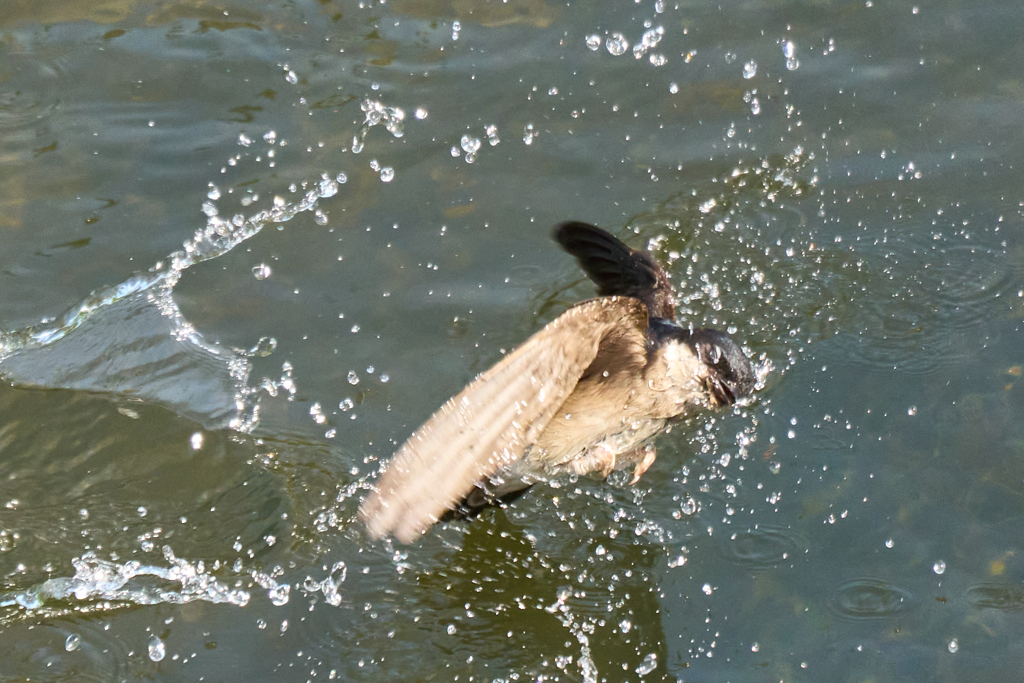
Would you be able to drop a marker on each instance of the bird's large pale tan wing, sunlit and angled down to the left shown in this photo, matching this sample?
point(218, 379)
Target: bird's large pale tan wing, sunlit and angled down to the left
point(490, 424)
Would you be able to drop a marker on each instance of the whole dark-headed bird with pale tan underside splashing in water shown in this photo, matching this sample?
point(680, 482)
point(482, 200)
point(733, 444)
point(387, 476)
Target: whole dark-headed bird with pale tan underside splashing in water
point(584, 396)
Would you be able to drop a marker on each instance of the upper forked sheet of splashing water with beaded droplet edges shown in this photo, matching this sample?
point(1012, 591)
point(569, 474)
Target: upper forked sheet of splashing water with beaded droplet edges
point(132, 338)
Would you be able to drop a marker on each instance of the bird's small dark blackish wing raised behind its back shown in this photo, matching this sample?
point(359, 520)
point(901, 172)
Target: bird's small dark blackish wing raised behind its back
point(617, 270)
